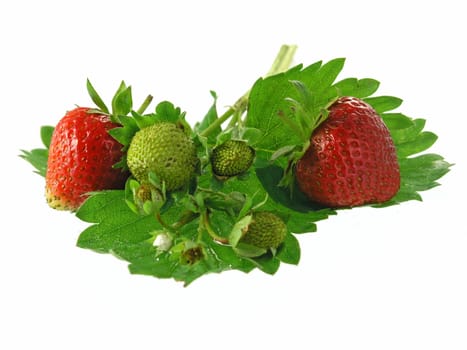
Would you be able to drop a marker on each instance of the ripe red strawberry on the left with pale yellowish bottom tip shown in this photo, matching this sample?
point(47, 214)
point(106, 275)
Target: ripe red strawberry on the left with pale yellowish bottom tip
point(81, 156)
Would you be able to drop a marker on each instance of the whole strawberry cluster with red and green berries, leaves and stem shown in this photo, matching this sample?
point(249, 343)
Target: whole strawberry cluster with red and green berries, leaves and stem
point(235, 190)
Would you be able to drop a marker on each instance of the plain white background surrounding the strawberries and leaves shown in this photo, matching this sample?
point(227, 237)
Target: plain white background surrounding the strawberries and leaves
point(368, 279)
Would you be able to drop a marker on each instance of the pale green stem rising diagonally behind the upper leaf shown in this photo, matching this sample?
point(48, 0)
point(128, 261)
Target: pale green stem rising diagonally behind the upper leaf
point(281, 63)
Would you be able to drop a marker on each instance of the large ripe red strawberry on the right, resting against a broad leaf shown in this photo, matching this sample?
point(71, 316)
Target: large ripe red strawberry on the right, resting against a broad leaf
point(351, 159)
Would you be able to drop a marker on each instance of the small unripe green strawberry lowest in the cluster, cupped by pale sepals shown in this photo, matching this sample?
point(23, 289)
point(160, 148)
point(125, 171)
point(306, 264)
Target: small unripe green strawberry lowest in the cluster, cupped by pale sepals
point(266, 230)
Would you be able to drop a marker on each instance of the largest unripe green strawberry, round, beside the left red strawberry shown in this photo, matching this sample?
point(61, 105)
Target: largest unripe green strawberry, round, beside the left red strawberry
point(166, 150)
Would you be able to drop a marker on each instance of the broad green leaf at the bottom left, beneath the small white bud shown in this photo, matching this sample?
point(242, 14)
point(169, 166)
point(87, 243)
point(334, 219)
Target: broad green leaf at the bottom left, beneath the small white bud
point(119, 231)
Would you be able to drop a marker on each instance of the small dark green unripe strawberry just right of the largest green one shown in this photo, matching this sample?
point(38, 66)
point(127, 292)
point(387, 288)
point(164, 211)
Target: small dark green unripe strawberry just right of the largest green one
point(232, 158)
